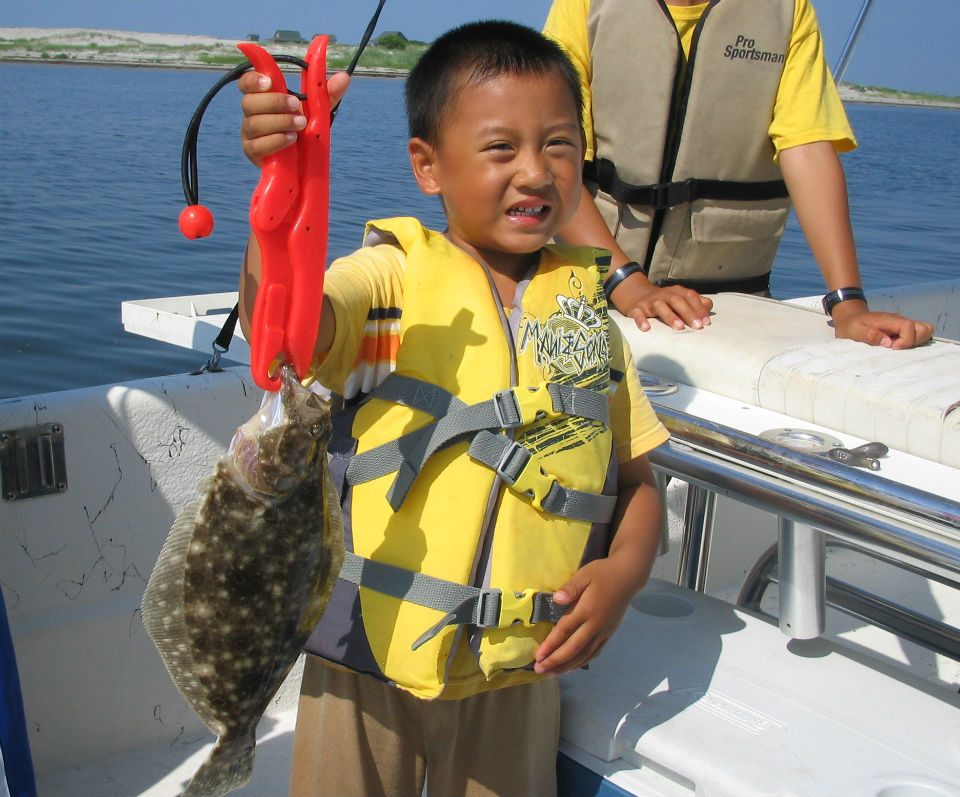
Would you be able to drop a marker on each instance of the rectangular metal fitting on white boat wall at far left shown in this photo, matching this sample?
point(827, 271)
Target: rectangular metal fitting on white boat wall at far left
point(33, 462)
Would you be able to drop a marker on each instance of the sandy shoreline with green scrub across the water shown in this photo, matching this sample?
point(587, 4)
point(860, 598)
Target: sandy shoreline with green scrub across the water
point(94, 47)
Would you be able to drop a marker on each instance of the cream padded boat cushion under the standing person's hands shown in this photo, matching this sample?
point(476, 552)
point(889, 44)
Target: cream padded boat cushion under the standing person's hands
point(785, 358)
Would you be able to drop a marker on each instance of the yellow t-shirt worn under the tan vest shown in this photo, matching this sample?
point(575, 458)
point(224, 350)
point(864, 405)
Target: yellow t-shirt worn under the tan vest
point(807, 108)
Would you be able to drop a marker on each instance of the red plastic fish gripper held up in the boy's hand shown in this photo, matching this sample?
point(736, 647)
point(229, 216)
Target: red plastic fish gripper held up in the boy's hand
point(289, 217)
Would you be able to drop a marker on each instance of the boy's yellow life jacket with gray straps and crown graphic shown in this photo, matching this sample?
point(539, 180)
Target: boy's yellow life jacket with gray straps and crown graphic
point(480, 475)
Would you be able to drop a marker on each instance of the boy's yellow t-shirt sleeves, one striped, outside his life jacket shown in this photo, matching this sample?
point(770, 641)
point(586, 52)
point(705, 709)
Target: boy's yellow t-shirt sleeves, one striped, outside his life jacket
point(365, 290)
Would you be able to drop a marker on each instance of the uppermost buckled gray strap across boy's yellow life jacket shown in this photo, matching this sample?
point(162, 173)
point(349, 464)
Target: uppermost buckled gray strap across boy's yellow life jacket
point(507, 409)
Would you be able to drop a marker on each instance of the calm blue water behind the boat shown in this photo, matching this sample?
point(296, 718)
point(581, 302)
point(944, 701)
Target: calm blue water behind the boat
point(90, 194)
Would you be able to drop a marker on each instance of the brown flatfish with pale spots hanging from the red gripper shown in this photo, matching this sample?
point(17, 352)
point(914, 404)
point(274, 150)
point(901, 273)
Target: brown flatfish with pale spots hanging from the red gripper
point(245, 574)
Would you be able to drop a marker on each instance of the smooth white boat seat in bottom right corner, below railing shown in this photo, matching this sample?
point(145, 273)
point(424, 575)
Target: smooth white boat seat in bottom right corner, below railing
point(693, 696)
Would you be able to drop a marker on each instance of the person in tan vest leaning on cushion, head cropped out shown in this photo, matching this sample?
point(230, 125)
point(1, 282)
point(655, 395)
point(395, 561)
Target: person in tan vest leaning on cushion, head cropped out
point(704, 121)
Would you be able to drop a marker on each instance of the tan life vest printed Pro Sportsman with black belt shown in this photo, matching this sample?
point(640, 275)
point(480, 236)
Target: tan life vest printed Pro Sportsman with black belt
point(684, 165)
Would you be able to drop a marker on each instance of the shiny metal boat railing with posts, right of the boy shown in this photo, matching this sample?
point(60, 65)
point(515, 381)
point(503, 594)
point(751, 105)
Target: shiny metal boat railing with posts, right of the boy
point(819, 504)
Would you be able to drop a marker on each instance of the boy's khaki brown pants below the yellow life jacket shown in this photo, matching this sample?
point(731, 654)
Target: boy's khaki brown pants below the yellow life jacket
point(359, 736)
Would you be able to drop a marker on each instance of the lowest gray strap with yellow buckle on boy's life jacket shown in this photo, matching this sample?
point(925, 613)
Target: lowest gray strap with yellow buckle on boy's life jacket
point(462, 604)
